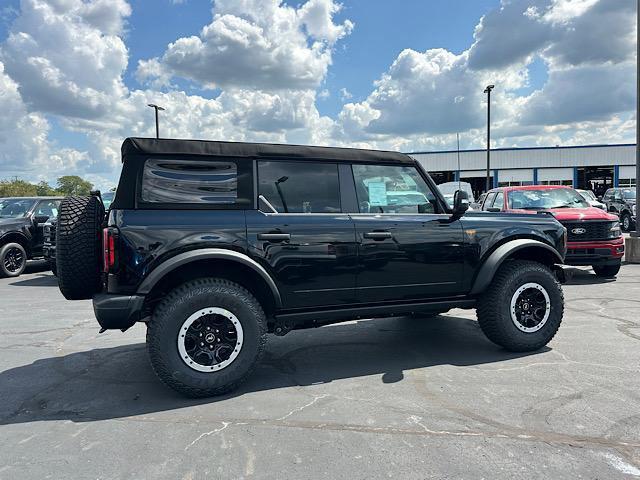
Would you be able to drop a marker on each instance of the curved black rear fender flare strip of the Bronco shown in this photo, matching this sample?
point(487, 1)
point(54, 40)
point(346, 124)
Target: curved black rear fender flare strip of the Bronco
point(207, 254)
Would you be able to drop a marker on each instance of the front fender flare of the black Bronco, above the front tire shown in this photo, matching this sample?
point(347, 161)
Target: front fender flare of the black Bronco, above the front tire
point(517, 249)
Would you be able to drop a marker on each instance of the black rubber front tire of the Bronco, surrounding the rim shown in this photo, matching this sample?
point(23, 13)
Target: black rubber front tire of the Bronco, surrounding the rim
point(494, 306)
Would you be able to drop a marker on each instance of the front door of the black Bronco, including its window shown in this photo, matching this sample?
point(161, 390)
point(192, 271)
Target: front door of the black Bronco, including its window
point(408, 250)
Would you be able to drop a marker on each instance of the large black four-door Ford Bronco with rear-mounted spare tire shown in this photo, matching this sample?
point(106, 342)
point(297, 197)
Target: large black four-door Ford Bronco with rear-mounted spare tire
point(216, 244)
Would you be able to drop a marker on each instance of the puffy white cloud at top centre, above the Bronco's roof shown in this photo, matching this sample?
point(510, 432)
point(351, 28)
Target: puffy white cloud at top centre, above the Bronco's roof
point(260, 44)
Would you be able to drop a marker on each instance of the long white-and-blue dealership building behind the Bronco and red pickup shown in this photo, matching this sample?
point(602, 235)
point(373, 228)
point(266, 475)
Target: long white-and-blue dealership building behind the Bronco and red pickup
point(593, 167)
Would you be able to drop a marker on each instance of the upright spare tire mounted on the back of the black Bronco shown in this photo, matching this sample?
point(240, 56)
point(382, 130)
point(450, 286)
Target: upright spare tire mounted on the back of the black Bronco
point(78, 247)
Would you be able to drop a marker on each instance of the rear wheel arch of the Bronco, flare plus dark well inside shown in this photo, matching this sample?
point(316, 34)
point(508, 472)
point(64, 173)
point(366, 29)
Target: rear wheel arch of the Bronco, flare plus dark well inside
point(213, 262)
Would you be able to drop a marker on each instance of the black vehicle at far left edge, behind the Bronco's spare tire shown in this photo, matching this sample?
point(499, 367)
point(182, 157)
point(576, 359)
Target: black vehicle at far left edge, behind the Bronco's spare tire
point(21, 230)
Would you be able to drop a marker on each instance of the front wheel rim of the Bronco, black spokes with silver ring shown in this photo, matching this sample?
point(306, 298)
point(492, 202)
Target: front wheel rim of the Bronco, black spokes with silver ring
point(530, 307)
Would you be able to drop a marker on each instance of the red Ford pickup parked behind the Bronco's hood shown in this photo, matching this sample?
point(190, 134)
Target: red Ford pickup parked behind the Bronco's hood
point(594, 236)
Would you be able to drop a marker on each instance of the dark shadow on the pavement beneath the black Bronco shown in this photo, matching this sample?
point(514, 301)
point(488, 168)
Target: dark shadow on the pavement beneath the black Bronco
point(118, 382)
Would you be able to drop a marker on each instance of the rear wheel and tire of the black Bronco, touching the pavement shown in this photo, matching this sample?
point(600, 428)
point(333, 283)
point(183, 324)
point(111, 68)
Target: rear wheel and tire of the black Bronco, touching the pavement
point(206, 337)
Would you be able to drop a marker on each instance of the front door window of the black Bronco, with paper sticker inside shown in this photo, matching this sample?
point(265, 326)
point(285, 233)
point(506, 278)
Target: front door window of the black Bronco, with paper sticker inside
point(392, 189)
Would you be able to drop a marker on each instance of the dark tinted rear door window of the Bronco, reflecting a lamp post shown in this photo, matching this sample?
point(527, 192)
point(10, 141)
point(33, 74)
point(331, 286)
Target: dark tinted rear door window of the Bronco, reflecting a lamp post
point(300, 187)
